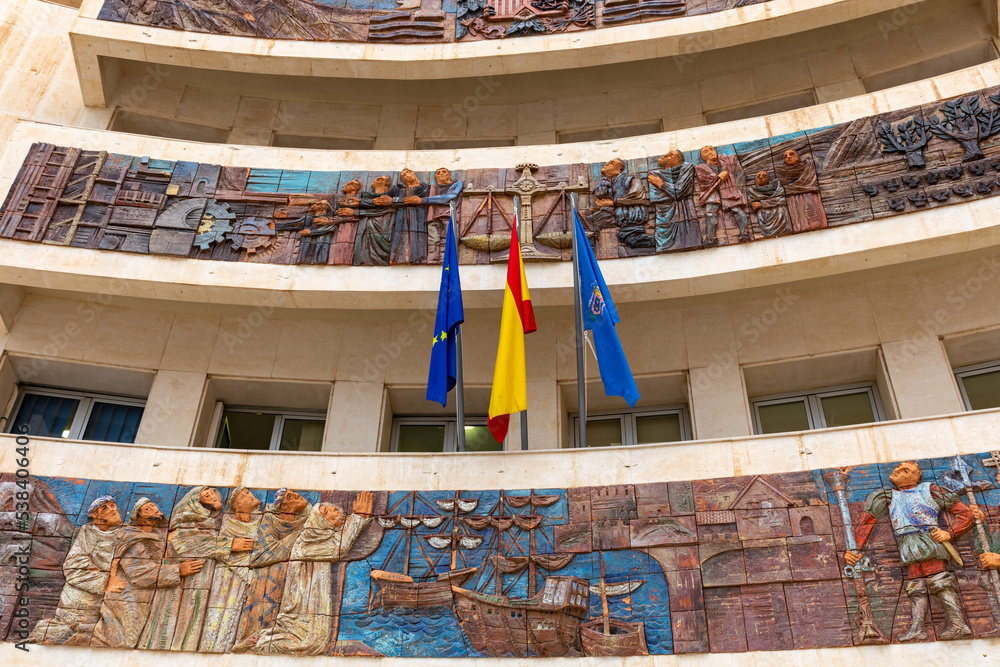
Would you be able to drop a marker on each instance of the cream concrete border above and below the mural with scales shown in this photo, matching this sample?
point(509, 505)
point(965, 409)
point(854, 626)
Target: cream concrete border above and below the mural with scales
point(924, 234)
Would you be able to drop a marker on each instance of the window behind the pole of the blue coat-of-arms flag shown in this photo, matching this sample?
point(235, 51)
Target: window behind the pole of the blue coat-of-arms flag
point(634, 428)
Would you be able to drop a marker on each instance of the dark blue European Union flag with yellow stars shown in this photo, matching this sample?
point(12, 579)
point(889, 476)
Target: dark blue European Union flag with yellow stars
point(444, 357)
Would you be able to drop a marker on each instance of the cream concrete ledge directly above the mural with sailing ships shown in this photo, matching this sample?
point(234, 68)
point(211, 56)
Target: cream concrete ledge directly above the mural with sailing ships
point(883, 442)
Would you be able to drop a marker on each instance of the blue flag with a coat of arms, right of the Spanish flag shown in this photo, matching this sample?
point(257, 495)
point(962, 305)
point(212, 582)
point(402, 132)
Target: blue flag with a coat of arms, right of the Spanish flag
point(600, 316)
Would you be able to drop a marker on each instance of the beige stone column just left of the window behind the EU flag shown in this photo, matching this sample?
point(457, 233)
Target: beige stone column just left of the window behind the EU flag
point(354, 420)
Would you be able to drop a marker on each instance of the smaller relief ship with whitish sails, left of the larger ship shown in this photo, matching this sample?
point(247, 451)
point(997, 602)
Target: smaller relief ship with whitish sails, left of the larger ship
point(419, 585)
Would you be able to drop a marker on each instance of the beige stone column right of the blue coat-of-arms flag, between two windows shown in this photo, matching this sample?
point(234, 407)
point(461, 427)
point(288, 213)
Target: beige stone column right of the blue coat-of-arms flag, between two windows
point(718, 403)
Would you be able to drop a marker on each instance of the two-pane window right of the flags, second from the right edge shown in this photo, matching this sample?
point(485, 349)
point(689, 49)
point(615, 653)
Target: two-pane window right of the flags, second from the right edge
point(839, 406)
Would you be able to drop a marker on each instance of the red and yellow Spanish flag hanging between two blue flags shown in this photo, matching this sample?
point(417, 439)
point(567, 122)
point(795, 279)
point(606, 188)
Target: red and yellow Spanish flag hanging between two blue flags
point(510, 384)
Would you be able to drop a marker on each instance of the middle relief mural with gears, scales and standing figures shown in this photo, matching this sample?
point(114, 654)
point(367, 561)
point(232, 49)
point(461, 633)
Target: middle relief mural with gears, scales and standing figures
point(872, 168)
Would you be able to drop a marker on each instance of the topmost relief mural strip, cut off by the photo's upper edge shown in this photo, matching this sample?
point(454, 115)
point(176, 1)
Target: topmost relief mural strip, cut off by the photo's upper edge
point(403, 21)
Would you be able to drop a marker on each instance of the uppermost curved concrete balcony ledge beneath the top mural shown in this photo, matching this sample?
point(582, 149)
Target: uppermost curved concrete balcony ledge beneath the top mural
point(94, 40)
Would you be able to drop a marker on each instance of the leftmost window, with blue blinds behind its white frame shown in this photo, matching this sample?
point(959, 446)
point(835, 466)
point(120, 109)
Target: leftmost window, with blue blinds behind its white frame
point(77, 416)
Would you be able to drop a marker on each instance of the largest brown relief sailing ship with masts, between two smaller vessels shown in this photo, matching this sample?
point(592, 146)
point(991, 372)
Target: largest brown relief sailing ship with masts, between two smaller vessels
point(545, 623)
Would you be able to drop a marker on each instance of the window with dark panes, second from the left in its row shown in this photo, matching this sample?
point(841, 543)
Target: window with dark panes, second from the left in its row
point(249, 428)
